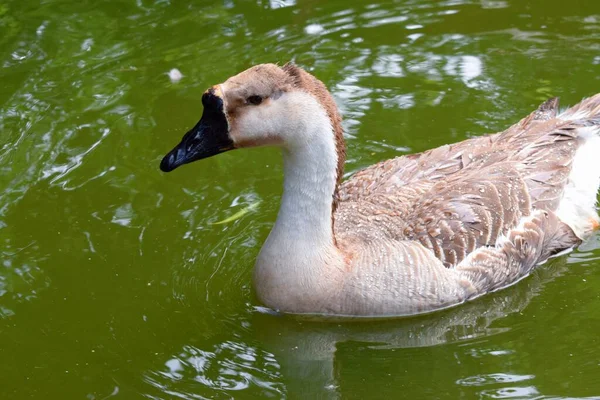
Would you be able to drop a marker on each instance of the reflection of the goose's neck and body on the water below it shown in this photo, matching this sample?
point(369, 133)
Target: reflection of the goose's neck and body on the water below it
point(308, 351)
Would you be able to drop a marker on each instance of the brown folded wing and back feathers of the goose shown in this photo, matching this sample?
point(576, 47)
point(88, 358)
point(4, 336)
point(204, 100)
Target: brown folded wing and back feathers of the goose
point(459, 198)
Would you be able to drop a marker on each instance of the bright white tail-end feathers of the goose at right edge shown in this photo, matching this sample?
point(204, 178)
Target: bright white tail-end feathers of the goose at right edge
point(577, 208)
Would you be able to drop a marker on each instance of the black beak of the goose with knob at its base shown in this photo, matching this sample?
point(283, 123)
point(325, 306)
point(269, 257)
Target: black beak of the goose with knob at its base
point(209, 137)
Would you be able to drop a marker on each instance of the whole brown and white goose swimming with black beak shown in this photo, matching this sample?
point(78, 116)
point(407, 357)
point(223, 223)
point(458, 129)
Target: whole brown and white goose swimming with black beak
point(408, 235)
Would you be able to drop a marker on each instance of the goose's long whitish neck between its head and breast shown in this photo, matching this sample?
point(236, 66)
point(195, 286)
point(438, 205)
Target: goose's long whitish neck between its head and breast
point(310, 157)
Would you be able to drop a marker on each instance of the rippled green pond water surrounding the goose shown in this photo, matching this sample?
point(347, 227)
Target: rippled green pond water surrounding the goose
point(116, 282)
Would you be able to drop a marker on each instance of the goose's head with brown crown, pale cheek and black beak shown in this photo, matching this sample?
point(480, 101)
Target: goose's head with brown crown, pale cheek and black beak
point(264, 105)
